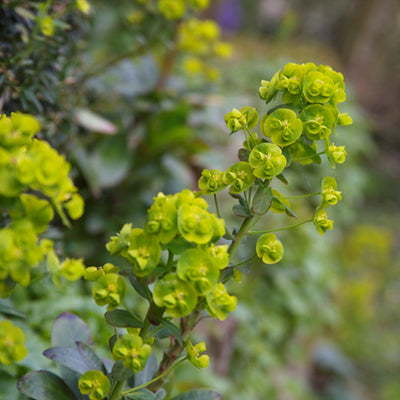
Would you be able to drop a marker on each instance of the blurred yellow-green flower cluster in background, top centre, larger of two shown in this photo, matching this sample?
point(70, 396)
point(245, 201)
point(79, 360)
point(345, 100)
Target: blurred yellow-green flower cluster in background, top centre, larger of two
point(200, 42)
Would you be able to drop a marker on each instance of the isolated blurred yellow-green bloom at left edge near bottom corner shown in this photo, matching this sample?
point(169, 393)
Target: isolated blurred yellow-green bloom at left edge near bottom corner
point(12, 343)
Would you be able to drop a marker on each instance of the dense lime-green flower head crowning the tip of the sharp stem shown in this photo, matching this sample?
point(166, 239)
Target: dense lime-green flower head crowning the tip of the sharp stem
point(311, 93)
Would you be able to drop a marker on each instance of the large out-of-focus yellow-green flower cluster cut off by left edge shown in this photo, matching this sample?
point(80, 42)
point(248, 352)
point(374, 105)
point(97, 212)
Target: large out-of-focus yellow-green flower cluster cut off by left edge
point(30, 166)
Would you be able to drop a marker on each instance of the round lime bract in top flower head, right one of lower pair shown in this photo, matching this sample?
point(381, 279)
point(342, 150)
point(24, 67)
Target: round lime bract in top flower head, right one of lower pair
point(317, 120)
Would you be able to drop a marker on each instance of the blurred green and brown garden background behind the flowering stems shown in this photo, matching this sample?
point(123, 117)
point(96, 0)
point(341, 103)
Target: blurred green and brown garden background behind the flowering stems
point(136, 115)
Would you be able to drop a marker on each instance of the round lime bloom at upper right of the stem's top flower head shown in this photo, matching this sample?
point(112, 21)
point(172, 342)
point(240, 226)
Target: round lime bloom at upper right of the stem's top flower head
point(318, 87)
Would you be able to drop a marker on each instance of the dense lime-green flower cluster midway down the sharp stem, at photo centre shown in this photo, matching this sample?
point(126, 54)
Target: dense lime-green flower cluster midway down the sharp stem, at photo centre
point(181, 225)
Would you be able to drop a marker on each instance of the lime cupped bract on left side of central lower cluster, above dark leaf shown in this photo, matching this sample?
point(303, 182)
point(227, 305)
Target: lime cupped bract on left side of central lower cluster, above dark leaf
point(144, 252)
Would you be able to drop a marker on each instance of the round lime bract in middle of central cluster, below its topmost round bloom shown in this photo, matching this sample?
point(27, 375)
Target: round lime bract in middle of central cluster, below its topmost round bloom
point(196, 267)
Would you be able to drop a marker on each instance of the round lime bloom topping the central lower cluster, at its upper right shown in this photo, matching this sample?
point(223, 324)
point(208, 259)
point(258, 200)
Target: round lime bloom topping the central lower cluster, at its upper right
point(195, 224)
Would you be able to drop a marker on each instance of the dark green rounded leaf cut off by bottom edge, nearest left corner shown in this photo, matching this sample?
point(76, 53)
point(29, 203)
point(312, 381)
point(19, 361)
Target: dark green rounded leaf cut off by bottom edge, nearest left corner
point(43, 385)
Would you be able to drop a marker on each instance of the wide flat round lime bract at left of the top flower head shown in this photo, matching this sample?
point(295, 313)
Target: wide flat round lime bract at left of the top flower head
point(282, 126)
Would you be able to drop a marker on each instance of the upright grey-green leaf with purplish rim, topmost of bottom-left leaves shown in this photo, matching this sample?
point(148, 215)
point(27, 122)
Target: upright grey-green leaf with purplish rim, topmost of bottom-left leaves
point(69, 329)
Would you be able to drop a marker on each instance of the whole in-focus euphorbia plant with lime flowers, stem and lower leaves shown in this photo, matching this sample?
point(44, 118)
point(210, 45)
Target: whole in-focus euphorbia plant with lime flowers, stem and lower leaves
point(183, 258)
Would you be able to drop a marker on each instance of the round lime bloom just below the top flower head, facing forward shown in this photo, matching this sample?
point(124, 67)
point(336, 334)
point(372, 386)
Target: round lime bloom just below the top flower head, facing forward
point(267, 160)
